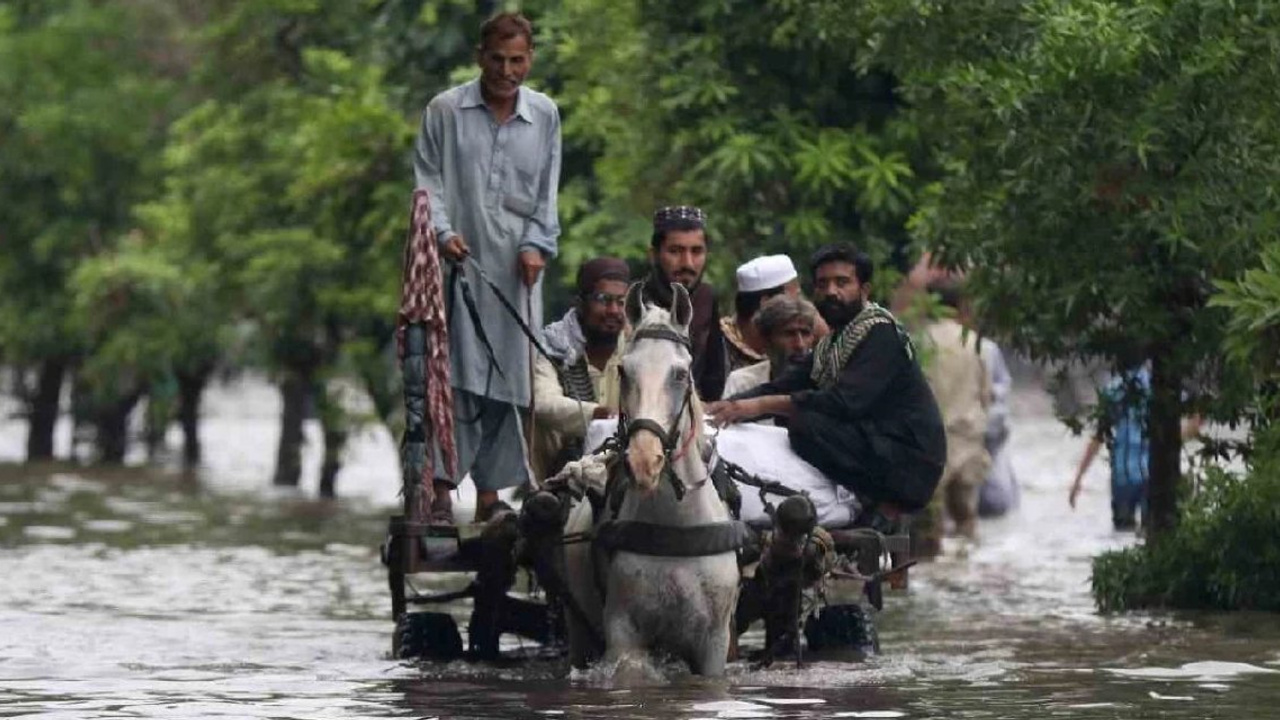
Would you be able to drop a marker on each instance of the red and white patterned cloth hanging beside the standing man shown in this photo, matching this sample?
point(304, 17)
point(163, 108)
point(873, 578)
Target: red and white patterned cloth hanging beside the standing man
point(423, 302)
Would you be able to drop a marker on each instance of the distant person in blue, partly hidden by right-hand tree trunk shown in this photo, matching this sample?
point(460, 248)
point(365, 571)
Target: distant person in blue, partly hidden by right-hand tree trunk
point(1124, 431)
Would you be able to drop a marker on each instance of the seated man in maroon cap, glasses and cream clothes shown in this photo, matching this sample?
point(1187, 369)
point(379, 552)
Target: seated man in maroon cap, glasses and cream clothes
point(583, 384)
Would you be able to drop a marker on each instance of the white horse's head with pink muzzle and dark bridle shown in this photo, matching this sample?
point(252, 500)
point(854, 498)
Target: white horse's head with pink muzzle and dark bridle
point(657, 385)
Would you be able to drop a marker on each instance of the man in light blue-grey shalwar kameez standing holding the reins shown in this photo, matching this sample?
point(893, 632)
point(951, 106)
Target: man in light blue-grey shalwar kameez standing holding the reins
point(490, 156)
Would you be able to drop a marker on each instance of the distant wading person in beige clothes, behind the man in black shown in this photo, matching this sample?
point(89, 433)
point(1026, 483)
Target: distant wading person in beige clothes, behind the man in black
point(959, 381)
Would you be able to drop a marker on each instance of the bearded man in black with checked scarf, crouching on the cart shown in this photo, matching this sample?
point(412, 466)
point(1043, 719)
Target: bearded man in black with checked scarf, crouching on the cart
point(861, 409)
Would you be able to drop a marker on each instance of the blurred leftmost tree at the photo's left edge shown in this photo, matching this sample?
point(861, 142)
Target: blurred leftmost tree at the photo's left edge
point(85, 108)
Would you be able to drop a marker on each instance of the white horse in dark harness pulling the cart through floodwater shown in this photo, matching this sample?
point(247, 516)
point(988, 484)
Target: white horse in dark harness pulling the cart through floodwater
point(670, 576)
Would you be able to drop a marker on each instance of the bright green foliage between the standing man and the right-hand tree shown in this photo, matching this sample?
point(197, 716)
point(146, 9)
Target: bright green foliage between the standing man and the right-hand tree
point(734, 107)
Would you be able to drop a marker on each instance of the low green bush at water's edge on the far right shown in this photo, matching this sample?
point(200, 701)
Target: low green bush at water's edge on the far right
point(1223, 555)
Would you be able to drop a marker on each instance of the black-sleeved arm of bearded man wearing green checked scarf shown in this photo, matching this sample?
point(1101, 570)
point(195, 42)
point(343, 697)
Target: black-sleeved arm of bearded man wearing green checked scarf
point(863, 380)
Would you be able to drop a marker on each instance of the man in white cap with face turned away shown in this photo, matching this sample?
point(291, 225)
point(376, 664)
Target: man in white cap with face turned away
point(758, 280)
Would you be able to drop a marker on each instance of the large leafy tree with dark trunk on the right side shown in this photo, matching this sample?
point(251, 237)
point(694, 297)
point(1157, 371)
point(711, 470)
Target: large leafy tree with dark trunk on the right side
point(1103, 163)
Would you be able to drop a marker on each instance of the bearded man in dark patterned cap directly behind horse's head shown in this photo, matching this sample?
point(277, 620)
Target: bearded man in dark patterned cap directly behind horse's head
point(678, 254)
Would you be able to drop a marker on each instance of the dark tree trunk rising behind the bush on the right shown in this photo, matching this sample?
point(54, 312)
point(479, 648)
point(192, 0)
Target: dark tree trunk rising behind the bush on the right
point(1167, 446)
